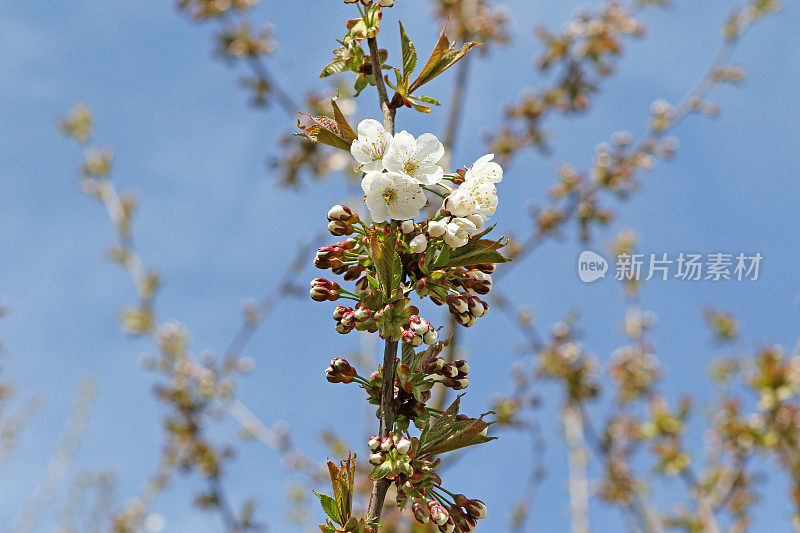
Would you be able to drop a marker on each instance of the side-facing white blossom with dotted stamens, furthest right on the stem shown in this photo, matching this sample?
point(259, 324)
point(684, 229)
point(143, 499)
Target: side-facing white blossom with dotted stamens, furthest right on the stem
point(478, 194)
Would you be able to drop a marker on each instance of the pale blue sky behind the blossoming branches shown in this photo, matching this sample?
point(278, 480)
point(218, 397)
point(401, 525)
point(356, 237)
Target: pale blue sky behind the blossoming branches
point(218, 227)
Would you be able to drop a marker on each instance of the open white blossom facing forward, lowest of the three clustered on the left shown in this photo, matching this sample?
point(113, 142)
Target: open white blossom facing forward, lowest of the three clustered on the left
point(393, 195)
